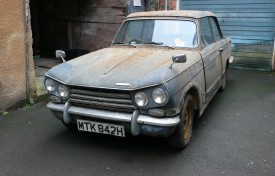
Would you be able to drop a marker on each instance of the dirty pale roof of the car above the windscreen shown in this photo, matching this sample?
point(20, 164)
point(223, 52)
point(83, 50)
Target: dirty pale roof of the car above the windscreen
point(172, 13)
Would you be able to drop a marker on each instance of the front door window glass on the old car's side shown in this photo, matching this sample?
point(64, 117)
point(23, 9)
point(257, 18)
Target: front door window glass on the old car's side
point(207, 34)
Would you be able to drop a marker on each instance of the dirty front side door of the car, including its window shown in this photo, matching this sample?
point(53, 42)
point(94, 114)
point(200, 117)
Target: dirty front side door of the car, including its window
point(211, 56)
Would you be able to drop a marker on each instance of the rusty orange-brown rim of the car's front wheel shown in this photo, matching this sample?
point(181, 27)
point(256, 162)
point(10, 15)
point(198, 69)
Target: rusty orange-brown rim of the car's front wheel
point(187, 123)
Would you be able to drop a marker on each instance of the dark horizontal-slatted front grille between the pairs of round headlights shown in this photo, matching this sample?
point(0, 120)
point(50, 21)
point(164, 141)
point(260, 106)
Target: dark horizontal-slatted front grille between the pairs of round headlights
point(102, 99)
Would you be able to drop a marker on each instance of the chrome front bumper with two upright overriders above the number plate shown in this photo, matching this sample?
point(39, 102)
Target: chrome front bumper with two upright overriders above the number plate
point(135, 119)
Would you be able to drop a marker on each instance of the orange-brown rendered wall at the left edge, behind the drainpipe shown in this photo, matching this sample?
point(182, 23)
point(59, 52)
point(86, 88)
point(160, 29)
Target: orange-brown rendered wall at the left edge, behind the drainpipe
point(13, 54)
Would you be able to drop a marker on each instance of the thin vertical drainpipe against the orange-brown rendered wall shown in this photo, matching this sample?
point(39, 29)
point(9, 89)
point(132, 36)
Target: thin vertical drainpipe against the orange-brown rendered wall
point(27, 45)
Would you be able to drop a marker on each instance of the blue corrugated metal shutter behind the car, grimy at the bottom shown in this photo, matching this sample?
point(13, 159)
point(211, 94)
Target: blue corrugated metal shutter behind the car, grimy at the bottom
point(249, 23)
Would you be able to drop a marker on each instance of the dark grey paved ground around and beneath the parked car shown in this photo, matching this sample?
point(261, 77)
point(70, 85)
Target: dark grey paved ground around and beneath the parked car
point(235, 137)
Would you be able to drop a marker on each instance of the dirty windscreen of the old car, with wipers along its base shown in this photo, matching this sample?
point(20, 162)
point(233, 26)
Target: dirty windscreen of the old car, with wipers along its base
point(175, 33)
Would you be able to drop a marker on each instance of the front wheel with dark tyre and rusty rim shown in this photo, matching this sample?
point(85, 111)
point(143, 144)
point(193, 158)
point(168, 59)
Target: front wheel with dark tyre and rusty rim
point(182, 135)
